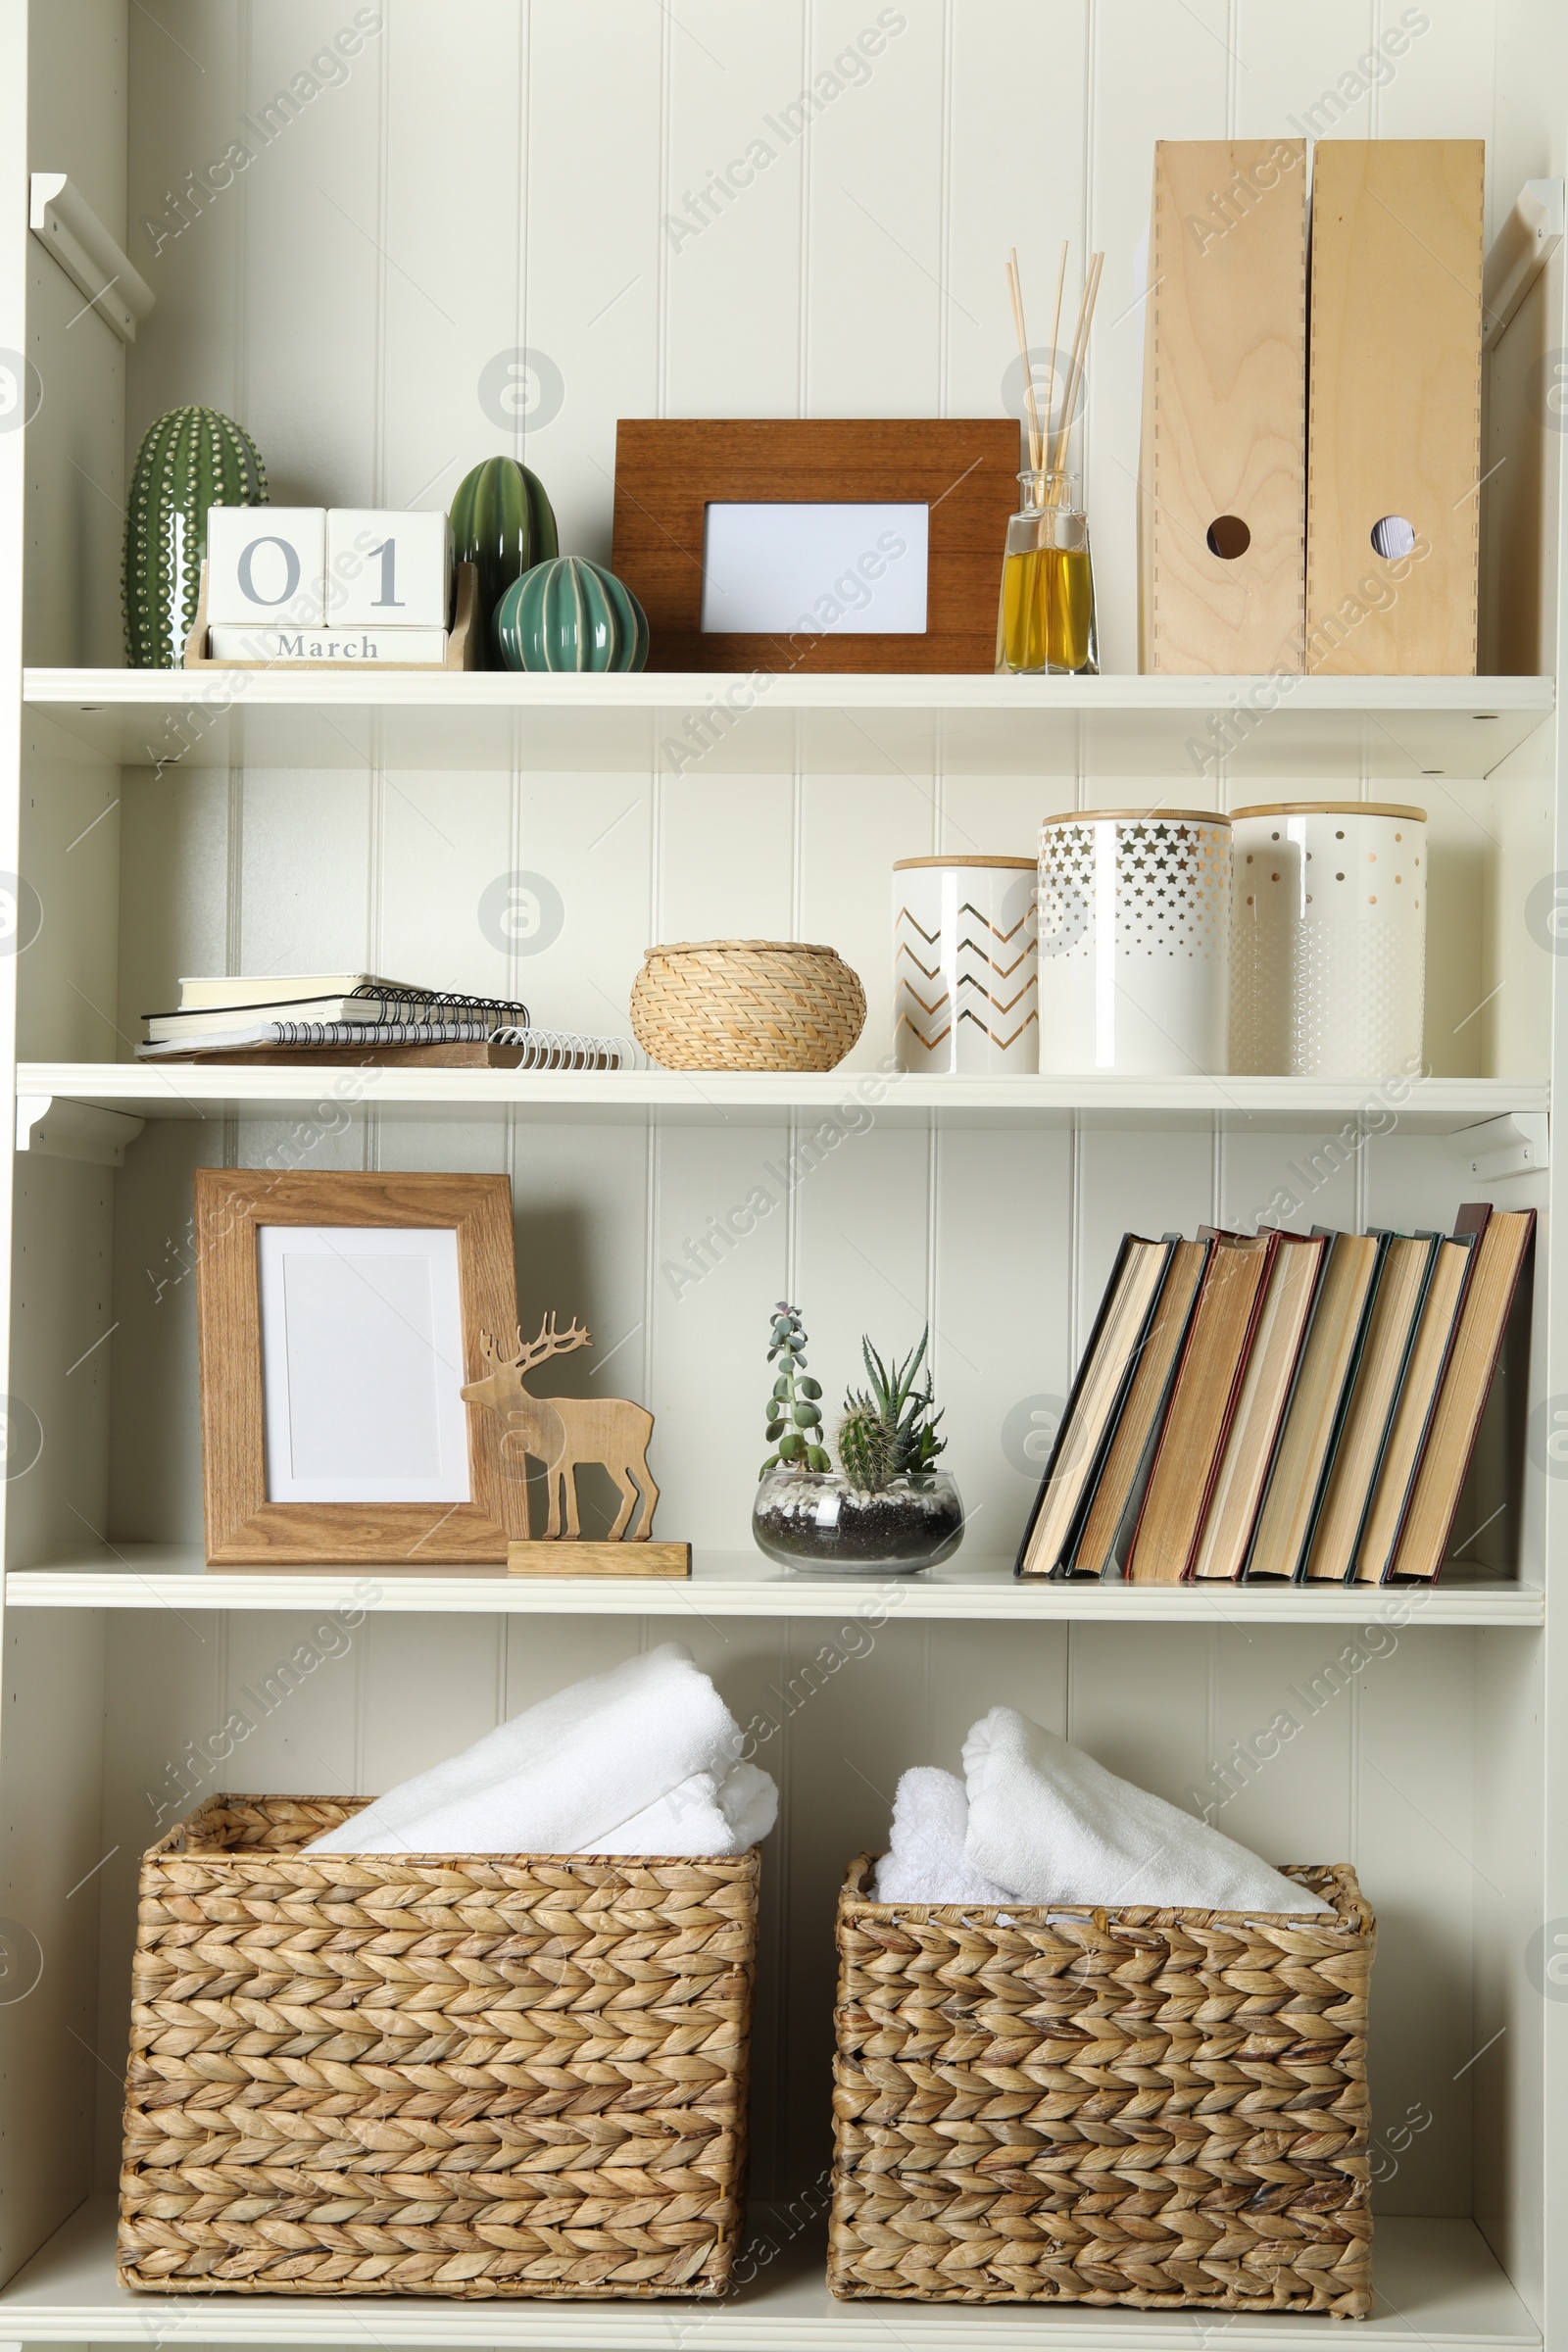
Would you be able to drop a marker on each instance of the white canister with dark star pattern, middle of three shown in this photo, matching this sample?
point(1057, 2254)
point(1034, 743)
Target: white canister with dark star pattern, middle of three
point(1134, 942)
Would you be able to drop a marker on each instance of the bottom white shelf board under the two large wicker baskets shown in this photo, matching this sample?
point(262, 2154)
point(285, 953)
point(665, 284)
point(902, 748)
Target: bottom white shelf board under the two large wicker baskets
point(1438, 2287)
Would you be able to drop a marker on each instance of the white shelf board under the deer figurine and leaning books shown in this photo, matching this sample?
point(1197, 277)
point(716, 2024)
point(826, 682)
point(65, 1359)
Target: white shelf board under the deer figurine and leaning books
point(746, 1584)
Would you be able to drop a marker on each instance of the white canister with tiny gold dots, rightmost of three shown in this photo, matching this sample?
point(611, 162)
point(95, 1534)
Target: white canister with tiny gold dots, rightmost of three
point(1329, 949)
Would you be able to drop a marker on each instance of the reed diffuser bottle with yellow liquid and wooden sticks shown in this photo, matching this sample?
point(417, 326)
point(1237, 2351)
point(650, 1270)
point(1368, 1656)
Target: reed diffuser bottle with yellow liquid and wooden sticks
point(1047, 615)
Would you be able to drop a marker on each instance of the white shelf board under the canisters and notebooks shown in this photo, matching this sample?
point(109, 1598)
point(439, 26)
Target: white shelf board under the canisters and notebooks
point(1435, 1107)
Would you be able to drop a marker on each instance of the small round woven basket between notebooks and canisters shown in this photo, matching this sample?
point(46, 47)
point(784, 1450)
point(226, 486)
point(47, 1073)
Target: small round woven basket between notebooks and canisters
point(746, 1005)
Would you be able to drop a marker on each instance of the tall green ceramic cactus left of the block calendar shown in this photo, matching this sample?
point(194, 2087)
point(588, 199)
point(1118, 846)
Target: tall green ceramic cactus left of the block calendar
point(189, 460)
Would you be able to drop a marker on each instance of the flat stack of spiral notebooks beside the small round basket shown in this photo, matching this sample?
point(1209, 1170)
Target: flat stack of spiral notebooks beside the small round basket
point(361, 1017)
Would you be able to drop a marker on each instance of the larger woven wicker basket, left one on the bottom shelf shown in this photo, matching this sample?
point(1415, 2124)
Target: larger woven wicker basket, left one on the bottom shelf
point(431, 2076)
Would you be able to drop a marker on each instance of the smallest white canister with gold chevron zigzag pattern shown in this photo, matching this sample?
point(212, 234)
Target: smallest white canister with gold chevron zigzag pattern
point(965, 965)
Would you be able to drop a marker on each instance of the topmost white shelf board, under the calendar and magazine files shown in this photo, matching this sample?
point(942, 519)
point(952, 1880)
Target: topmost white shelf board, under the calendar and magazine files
point(1395, 730)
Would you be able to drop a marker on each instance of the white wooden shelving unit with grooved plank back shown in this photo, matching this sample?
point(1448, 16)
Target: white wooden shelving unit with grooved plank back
point(344, 300)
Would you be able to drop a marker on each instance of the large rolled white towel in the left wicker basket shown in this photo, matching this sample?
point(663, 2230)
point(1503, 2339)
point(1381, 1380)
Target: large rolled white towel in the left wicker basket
point(565, 1775)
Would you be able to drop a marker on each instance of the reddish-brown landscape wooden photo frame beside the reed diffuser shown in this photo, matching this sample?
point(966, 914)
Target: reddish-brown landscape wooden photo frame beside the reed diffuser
point(960, 472)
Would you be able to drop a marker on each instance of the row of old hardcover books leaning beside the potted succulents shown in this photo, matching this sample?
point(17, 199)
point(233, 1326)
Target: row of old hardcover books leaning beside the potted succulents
point(1280, 1405)
